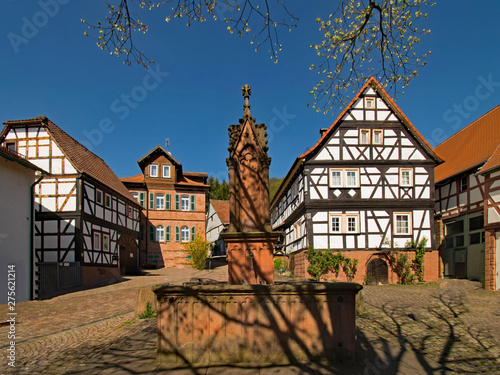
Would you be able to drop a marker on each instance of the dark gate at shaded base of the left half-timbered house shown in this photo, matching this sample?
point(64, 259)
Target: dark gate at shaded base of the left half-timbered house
point(55, 276)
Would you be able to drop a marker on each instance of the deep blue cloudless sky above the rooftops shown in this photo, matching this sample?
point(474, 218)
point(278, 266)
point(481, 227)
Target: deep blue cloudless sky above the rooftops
point(193, 92)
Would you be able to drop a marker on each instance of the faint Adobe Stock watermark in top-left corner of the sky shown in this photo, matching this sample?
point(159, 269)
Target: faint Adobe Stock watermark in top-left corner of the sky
point(32, 25)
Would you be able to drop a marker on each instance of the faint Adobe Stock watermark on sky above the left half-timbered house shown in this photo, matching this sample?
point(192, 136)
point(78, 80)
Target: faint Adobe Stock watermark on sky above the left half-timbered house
point(123, 106)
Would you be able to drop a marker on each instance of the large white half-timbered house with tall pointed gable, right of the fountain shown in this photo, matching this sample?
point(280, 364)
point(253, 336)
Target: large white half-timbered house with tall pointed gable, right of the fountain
point(365, 188)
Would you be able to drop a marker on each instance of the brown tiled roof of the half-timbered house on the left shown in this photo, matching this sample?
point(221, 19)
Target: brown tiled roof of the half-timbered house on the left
point(82, 159)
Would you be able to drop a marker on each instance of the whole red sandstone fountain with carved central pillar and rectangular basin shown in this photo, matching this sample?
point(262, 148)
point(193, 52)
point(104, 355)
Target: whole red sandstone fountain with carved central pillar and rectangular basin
point(250, 319)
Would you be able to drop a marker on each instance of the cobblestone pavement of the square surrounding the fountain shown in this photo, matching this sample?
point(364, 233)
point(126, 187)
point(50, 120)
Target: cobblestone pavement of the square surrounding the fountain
point(450, 327)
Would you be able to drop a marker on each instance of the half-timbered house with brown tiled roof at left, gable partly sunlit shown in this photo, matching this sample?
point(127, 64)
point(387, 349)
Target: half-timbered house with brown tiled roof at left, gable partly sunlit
point(86, 221)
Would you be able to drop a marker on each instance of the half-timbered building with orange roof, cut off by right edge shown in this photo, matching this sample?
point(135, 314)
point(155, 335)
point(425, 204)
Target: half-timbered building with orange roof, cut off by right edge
point(467, 198)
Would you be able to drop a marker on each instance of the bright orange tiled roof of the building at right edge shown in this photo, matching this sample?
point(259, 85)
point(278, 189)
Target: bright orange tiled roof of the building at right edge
point(471, 147)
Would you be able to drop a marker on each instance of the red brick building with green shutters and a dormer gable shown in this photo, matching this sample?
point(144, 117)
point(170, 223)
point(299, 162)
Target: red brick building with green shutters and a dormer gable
point(173, 208)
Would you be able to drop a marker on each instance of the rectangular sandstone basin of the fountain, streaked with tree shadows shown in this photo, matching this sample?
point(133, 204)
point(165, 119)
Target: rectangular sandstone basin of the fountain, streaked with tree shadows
point(221, 324)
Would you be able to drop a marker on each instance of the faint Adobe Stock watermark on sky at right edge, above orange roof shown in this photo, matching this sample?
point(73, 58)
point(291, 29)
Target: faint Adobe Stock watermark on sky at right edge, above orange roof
point(459, 112)
